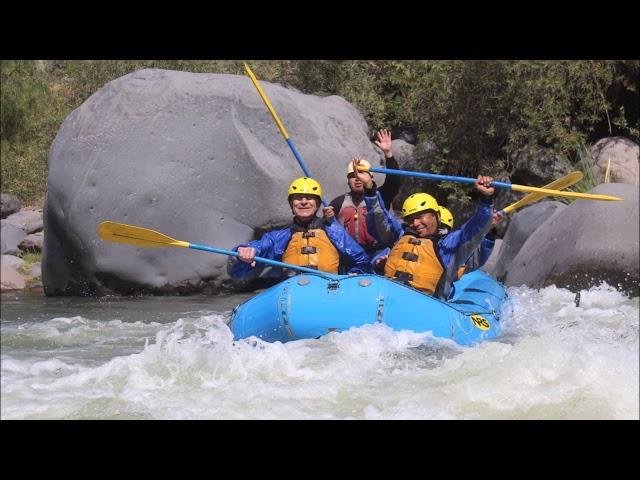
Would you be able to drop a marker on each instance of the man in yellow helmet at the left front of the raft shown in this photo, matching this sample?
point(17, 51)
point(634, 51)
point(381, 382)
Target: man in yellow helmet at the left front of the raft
point(310, 241)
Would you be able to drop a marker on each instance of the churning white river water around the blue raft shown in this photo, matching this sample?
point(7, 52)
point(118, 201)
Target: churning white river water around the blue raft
point(174, 358)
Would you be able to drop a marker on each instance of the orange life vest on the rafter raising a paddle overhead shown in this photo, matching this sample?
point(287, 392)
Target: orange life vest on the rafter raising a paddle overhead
point(414, 261)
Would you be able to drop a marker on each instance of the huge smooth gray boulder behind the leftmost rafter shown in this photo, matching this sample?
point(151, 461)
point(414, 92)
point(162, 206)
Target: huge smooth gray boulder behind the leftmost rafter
point(195, 156)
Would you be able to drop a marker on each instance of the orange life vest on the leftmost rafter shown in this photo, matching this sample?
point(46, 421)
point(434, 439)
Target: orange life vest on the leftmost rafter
point(313, 249)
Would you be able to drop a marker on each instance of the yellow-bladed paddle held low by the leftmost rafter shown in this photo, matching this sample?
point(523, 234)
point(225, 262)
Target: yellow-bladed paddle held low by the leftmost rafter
point(144, 237)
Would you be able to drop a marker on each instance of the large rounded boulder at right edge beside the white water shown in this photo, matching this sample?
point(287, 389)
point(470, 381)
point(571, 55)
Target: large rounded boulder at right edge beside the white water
point(585, 244)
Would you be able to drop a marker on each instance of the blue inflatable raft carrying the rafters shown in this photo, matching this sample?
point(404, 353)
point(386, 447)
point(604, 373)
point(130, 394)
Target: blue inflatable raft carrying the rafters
point(309, 306)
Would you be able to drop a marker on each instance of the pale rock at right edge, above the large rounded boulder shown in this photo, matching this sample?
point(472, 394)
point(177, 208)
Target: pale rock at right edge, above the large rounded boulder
point(623, 153)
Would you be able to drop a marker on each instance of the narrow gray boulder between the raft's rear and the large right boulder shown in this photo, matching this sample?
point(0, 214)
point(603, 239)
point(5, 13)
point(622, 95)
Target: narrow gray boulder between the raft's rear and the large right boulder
point(522, 226)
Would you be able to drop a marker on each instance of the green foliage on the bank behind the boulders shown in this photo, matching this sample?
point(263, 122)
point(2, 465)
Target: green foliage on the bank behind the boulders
point(477, 112)
